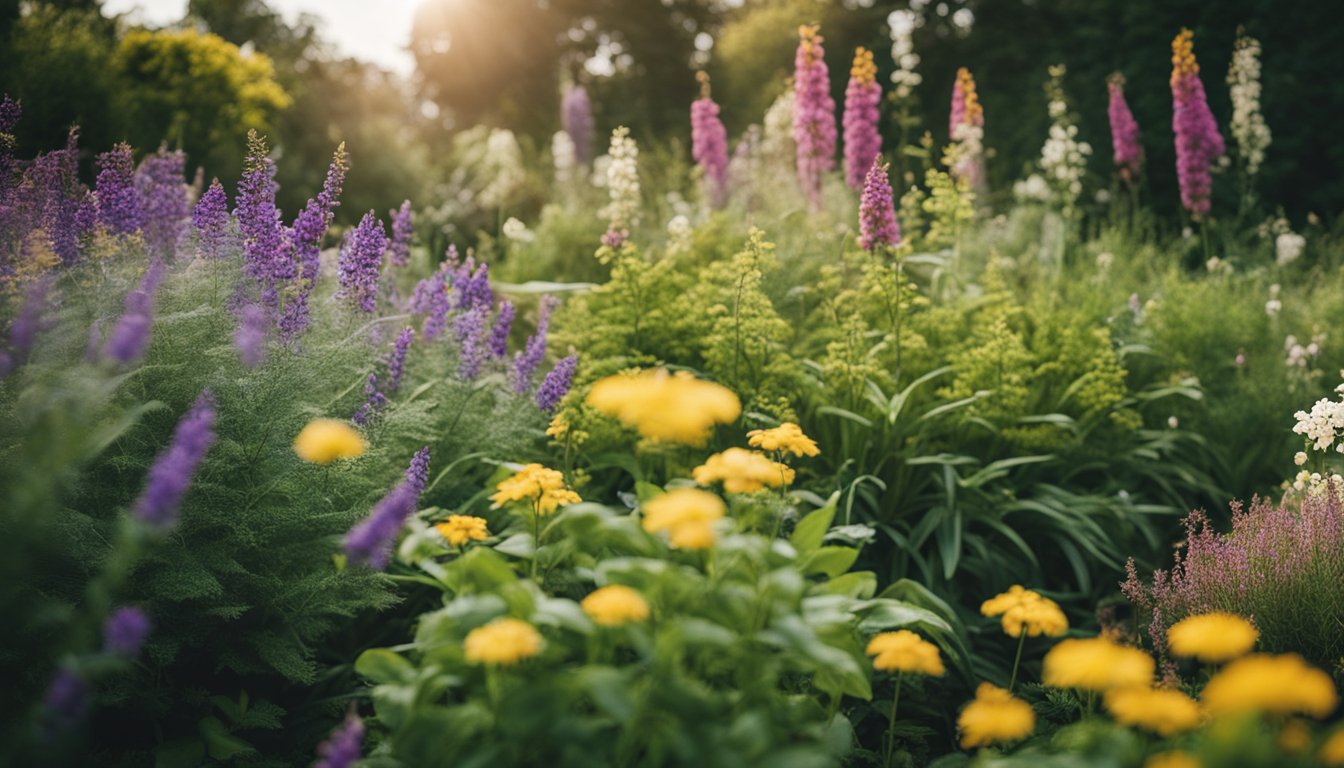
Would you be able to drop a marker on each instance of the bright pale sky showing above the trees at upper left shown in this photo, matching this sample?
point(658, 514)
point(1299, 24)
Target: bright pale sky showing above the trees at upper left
point(374, 32)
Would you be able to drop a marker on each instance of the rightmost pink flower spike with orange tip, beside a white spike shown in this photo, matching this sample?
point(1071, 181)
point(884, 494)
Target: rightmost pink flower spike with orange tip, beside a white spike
point(1198, 139)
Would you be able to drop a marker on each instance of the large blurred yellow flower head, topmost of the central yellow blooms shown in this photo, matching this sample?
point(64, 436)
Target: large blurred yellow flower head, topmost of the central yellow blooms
point(673, 408)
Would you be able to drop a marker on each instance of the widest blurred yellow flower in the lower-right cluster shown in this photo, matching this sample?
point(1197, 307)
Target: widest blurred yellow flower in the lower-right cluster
point(1279, 685)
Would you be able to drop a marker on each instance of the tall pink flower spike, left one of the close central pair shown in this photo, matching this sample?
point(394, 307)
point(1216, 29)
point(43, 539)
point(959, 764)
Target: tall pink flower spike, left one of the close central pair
point(814, 114)
